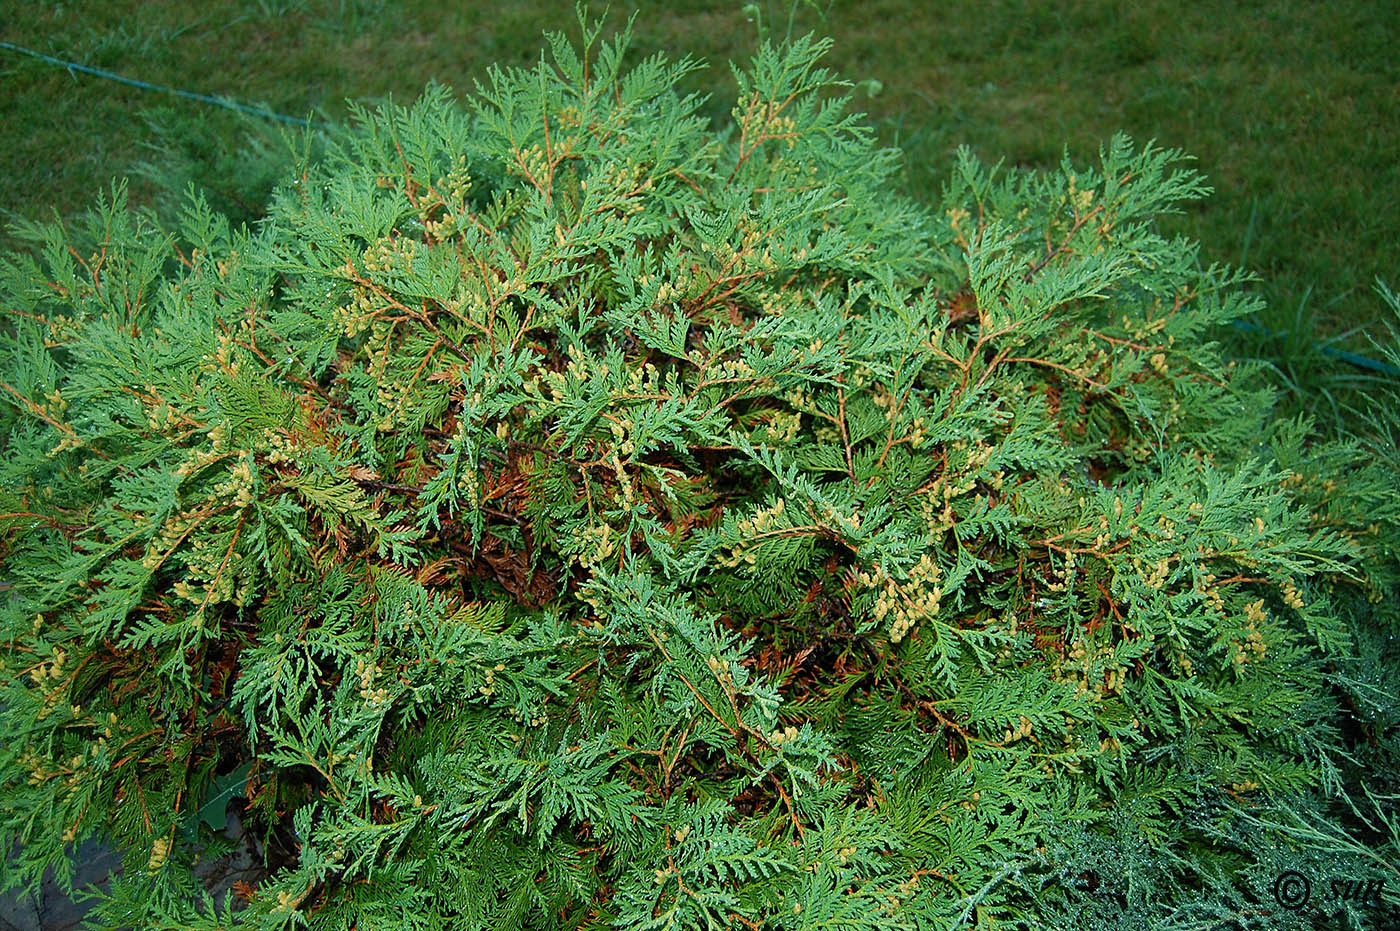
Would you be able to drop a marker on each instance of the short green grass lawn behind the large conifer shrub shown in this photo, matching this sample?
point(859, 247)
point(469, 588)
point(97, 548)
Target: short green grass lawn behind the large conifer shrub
point(1293, 110)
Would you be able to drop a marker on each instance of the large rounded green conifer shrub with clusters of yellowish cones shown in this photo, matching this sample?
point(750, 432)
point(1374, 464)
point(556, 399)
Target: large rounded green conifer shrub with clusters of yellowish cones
point(559, 513)
